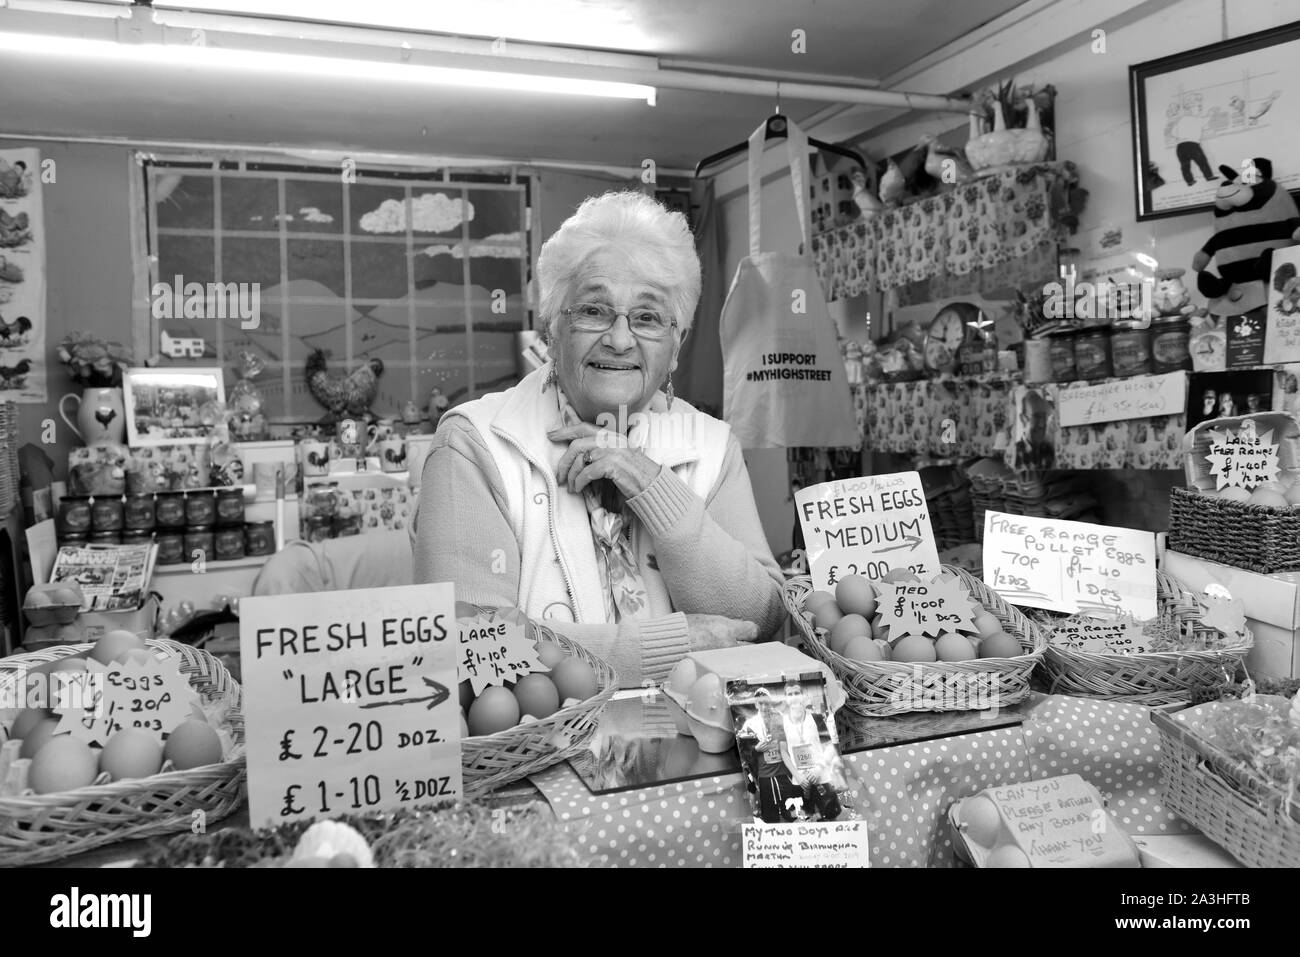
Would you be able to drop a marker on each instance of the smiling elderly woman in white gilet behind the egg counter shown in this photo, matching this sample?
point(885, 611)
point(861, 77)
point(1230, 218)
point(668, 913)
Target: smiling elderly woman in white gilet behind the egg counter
point(586, 495)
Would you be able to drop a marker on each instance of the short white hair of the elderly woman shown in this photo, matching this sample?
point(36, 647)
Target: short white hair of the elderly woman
point(635, 226)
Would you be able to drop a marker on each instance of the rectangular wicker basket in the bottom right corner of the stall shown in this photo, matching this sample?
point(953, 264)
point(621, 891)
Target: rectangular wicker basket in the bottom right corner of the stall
point(1225, 799)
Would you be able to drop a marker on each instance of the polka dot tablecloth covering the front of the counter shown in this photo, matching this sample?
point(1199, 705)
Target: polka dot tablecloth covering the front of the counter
point(904, 793)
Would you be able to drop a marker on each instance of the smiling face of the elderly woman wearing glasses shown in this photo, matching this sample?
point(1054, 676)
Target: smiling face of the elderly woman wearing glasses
point(600, 373)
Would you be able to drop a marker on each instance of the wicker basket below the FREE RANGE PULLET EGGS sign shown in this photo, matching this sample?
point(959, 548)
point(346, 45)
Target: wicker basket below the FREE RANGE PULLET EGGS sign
point(1155, 678)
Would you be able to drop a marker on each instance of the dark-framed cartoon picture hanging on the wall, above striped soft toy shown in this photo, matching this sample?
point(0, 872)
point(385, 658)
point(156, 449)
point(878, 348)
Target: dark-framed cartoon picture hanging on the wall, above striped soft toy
point(1212, 107)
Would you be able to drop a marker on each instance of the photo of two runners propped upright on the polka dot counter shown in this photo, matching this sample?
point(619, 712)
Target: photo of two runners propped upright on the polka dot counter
point(790, 750)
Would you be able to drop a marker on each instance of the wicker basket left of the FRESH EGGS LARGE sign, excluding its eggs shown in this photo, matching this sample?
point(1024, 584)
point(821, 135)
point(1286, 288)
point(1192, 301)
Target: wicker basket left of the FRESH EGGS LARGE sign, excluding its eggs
point(49, 828)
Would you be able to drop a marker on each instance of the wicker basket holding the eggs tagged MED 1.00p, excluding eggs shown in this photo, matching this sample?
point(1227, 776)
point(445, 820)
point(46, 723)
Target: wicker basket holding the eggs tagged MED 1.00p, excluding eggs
point(885, 688)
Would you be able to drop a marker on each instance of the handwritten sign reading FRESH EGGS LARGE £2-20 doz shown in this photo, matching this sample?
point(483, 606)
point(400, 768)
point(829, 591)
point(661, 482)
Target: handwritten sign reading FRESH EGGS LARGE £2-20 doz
point(349, 701)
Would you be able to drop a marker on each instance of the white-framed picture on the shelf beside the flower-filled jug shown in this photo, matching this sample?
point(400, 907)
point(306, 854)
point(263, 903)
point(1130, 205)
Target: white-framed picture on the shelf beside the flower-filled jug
point(172, 406)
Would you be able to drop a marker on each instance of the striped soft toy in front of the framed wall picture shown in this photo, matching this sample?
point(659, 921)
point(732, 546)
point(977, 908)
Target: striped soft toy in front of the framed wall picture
point(1253, 218)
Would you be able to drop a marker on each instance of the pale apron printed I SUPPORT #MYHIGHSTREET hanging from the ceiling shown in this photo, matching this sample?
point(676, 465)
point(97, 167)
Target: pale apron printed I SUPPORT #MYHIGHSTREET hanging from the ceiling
point(785, 379)
